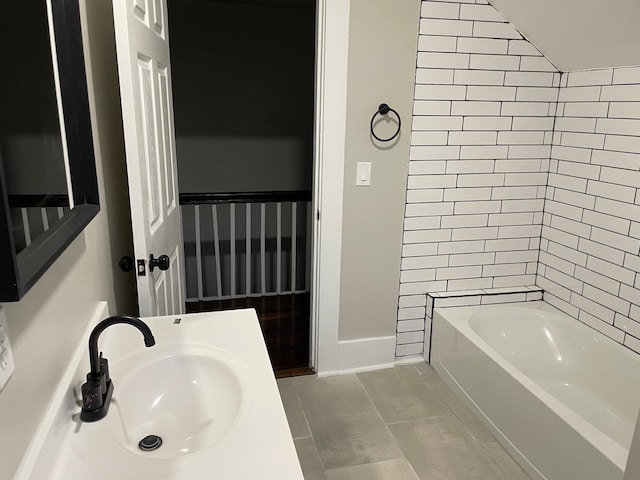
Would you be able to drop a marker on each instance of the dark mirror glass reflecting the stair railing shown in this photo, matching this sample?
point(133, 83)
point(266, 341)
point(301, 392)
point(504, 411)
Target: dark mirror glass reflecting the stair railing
point(32, 148)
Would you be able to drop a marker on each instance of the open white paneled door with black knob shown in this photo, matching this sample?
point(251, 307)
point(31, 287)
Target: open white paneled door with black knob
point(142, 46)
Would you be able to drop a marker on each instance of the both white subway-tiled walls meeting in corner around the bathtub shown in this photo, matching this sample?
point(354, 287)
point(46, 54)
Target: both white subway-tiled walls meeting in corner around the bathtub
point(487, 108)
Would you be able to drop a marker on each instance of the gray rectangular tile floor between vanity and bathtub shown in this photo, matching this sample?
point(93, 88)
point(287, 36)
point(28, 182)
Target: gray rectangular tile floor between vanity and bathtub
point(402, 423)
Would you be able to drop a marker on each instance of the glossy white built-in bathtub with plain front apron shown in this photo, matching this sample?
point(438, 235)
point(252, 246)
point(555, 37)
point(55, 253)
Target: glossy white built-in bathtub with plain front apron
point(561, 397)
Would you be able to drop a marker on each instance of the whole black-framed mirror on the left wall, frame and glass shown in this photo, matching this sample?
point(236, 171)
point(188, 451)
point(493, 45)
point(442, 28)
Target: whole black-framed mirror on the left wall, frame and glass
point(48, 183)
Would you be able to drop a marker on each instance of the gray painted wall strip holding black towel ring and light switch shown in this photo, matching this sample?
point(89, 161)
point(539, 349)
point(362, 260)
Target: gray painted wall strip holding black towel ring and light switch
point(382, 59)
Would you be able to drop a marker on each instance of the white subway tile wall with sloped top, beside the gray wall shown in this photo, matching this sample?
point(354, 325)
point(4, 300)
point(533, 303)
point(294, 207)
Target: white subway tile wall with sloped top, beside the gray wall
point(483, 118)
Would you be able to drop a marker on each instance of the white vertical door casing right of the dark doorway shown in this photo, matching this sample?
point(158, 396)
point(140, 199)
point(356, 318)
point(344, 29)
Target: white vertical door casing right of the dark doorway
point(332, 51)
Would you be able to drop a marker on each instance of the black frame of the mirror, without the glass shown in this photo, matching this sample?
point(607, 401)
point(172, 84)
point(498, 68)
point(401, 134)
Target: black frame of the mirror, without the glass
point(19, 271)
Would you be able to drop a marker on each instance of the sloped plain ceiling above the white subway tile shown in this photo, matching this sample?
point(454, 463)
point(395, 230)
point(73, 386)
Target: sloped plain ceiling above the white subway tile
point(579, 34)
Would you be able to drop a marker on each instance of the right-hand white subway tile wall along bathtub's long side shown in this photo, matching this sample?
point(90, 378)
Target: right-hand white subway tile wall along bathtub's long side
point(589, 259)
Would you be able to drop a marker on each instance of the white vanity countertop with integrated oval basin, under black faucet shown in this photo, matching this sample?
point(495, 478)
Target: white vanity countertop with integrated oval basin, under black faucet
point(206, 389)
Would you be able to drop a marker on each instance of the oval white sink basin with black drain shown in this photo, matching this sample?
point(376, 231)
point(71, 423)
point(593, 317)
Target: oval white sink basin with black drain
point(191, 400)
